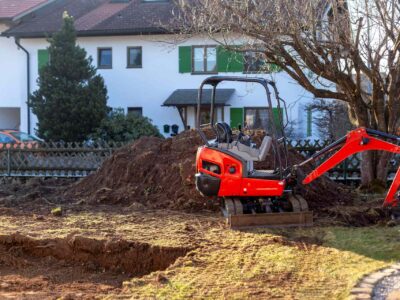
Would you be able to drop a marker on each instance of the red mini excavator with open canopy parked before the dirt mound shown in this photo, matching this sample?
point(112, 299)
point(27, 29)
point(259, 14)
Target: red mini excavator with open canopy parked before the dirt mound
point(250, 197)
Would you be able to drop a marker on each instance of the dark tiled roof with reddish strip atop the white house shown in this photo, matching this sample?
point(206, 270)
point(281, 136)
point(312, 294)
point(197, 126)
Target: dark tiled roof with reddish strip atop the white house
point(99, 17)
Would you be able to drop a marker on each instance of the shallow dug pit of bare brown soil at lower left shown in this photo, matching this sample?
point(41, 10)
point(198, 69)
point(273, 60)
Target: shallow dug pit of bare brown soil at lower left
point(75, 267)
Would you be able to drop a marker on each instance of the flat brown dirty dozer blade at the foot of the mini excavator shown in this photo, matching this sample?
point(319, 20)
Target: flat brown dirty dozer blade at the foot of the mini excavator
point(271, 220)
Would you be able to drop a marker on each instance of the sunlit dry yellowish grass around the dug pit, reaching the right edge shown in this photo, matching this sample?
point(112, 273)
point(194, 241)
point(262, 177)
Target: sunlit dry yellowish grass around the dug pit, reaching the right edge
point(314, 263)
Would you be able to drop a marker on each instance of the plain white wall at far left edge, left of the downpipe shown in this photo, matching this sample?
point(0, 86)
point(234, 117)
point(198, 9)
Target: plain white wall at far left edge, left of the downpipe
point(12, 76)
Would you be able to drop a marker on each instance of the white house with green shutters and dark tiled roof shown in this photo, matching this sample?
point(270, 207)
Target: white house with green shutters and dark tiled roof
point(145, 71)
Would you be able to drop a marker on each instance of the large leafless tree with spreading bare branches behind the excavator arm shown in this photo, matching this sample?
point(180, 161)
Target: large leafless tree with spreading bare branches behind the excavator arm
point(351, 48)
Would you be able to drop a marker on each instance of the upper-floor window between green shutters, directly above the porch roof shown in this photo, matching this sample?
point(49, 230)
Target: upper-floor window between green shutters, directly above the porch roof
point(204, 59)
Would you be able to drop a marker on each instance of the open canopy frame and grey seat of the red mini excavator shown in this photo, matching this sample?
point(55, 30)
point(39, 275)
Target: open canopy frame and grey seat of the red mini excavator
point(241, 144)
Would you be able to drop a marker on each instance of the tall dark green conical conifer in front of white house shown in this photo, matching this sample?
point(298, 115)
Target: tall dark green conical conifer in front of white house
point(71, 100)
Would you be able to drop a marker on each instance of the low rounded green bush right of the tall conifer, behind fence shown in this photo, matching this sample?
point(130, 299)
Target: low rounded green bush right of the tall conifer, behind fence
point(121, 127)
